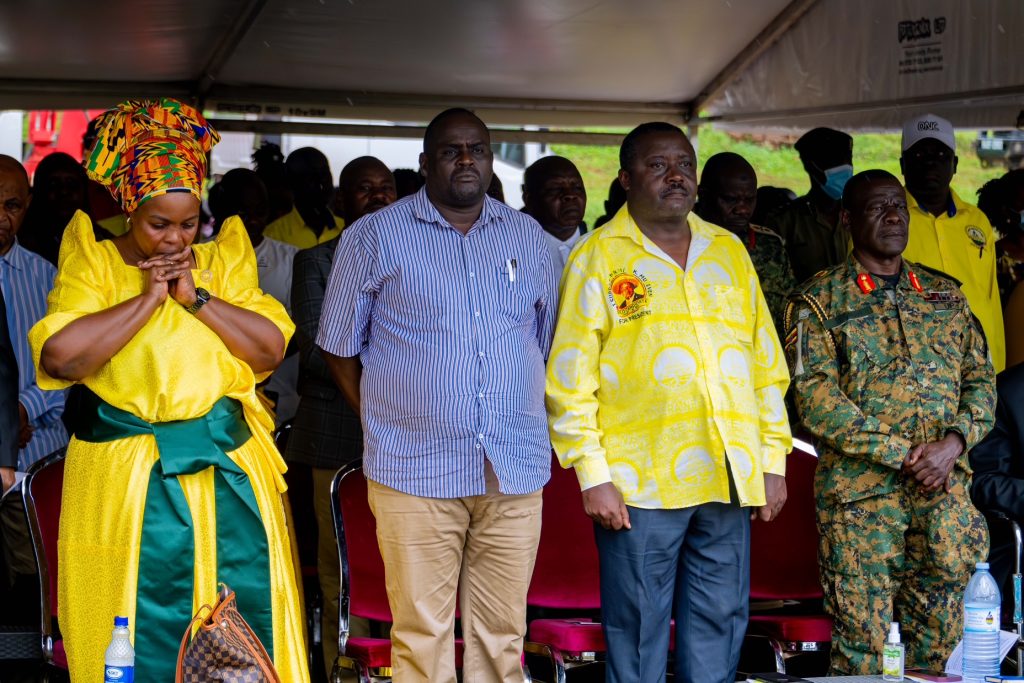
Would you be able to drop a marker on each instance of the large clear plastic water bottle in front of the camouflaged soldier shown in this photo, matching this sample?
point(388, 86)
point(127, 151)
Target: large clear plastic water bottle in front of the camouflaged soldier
point(982, 627)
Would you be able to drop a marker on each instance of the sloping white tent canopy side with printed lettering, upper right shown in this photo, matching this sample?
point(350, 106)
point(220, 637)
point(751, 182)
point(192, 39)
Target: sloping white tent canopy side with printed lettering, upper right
point(875, 64)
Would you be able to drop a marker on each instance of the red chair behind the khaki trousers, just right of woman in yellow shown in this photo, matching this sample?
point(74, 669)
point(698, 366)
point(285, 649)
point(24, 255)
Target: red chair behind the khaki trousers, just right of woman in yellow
point(363, 590)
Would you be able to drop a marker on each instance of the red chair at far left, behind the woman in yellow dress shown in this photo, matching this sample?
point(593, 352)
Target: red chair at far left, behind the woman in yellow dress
point(42, 490)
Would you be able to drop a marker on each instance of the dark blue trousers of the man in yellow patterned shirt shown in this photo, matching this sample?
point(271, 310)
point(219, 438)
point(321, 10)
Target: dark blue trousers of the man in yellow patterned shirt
point(691, 565)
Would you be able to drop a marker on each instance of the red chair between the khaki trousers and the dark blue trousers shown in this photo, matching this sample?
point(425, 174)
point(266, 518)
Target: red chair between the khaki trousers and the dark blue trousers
point(567, 577)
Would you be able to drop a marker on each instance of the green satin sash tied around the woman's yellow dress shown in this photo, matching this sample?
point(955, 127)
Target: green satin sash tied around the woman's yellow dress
point(166, 564)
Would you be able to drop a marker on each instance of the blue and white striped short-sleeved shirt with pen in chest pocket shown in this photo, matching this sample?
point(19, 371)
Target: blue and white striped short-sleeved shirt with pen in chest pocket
point(453, 332)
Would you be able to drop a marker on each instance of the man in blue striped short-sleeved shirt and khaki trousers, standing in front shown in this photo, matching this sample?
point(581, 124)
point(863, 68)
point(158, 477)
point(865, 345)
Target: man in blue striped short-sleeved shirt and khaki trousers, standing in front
point(437, 324)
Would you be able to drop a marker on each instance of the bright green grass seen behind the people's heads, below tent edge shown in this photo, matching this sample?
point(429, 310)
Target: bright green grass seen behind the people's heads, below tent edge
point(777, 165)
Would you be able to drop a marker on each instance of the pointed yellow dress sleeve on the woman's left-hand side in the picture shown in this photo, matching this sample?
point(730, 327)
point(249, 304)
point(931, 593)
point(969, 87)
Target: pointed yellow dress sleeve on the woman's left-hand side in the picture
point(82, 287)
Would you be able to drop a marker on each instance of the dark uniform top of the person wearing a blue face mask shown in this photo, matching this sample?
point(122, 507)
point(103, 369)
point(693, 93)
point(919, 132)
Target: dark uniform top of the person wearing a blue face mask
point(812, 241)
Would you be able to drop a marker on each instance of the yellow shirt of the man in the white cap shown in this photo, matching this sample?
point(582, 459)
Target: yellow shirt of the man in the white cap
point(961, 243)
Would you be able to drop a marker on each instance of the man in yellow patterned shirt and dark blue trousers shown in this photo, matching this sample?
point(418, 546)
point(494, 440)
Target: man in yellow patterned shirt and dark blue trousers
point(665, 393)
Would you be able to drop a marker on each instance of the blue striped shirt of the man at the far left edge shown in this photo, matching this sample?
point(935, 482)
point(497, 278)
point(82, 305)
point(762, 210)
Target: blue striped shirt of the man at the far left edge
point(26, 280)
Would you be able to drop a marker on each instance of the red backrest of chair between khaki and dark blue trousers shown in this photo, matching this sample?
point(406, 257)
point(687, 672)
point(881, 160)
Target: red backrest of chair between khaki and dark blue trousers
point(567, 575)
